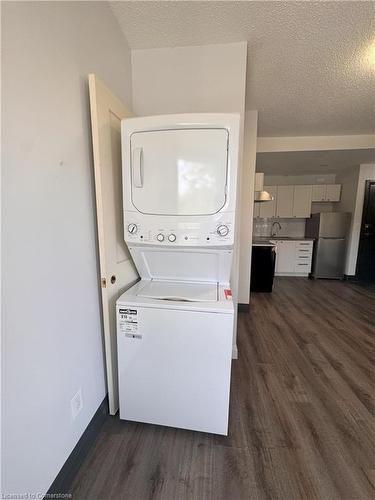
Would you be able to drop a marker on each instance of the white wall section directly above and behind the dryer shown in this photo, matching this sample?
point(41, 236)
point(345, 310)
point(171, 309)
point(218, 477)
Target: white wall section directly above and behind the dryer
point(210, 78)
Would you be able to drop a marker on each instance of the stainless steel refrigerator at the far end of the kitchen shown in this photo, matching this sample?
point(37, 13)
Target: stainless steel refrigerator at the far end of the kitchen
point(329, 230)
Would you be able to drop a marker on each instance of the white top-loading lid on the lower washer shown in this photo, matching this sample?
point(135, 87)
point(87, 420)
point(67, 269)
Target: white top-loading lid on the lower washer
point(180, 291)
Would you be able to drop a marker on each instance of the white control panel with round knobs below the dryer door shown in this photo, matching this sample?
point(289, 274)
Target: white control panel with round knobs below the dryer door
point(212, 231)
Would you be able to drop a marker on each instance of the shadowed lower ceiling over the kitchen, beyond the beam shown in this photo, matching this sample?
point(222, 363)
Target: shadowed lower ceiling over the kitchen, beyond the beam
point(312, 162)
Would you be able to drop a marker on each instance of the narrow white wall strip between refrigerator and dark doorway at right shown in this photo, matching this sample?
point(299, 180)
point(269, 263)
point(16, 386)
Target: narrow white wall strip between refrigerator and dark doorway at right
point(358, 178)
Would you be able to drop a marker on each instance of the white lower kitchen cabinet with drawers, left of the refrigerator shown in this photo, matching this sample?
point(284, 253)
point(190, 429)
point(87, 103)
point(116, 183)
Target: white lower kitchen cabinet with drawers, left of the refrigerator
point(293, 258)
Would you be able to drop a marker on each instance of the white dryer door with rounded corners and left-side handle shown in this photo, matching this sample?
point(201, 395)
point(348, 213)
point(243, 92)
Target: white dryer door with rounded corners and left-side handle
point(179, 172)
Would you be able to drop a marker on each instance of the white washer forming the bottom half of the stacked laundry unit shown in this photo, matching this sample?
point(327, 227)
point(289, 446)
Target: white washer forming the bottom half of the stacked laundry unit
point(175, 347)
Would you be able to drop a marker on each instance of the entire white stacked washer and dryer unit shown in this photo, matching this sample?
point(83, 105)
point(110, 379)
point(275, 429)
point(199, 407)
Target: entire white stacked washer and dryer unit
point(175, 326)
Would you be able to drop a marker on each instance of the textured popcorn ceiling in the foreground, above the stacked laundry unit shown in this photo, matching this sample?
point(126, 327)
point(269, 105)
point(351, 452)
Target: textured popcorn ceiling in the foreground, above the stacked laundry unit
point(308, 72)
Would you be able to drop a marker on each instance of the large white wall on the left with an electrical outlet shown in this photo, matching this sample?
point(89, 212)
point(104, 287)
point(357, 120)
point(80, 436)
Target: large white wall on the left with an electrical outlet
point(52, 342)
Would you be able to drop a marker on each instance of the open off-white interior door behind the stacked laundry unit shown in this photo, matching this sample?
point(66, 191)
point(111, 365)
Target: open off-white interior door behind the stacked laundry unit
point(117, 271)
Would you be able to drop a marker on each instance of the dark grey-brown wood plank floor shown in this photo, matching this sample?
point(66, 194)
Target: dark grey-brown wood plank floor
point(302, 420)
